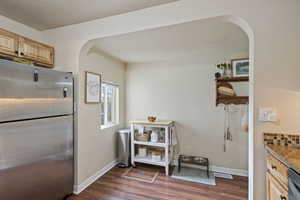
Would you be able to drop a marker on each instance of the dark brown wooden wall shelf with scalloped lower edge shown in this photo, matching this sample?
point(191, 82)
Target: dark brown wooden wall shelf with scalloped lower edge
point(226, 100)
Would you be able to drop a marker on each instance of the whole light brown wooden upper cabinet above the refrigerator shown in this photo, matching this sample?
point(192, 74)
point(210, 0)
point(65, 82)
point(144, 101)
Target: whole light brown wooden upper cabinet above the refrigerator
point(14, 45)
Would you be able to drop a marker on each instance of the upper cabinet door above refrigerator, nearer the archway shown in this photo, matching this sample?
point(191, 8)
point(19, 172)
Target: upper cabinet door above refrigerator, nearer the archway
point(36, 51)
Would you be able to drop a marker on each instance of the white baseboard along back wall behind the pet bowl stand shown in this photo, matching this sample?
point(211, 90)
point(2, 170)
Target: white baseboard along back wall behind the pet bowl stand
point(237, 172)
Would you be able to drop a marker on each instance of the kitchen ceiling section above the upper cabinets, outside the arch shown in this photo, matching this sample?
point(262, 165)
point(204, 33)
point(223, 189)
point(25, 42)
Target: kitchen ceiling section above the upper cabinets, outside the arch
point(47, 14)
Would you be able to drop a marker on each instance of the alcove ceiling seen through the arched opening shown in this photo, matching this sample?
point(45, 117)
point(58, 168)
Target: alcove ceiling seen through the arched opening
point(196, 40)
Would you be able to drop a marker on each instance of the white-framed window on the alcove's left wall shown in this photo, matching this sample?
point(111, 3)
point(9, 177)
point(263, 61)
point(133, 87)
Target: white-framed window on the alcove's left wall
point(109, 115)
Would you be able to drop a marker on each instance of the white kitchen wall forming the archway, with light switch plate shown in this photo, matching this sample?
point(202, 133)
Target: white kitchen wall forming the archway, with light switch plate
point(273, 28)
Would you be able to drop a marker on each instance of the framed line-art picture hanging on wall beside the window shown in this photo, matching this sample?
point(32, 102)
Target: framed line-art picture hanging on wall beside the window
point(92, 87)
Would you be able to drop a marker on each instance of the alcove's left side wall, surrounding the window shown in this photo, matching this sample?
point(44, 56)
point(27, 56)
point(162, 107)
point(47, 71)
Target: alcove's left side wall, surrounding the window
point(96, 148)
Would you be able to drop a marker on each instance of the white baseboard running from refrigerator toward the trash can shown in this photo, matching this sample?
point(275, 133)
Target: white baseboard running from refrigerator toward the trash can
point(79, 188)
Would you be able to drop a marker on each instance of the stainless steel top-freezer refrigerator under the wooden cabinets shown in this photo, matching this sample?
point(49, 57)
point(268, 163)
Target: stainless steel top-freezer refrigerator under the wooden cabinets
point(36, 133)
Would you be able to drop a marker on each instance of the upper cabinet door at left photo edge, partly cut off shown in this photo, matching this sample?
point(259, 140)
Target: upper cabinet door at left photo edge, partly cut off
point(8, 43)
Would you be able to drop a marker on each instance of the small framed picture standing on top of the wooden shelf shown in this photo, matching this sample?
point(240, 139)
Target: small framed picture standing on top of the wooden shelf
point(240, 67)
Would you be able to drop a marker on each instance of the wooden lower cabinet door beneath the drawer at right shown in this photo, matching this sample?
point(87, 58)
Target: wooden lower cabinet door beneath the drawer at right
point(275, 191)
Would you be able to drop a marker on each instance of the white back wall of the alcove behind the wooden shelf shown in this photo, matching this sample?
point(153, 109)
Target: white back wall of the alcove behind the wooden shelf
point(185, 93)
